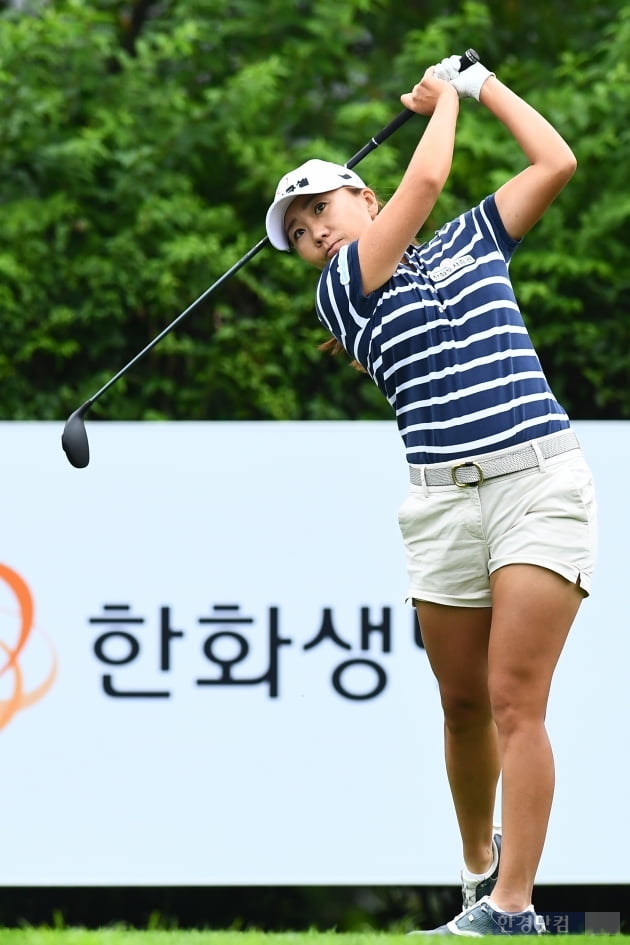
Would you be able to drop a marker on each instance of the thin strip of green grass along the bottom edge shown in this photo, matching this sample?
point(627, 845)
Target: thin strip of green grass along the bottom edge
point(115, 936)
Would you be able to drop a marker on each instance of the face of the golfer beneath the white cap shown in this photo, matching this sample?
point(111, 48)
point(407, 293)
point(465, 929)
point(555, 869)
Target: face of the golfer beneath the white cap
point(318, 225)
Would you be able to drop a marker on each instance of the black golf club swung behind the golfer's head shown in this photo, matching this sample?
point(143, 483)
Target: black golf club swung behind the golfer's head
point(74, 437)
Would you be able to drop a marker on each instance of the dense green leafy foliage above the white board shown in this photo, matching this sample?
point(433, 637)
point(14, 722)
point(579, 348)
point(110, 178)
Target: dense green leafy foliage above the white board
point(140, 144)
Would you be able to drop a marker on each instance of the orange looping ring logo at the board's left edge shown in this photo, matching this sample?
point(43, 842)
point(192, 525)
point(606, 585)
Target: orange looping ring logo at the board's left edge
point(13, 692)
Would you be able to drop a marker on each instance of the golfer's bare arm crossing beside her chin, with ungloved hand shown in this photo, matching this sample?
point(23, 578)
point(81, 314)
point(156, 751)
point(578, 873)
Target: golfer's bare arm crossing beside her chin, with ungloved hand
point(384, 242)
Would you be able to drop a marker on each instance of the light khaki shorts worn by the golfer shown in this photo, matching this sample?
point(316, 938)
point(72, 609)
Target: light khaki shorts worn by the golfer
point(456, 537)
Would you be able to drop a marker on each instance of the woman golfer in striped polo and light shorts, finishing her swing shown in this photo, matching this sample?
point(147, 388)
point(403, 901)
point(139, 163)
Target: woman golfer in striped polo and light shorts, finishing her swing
point(499, 523)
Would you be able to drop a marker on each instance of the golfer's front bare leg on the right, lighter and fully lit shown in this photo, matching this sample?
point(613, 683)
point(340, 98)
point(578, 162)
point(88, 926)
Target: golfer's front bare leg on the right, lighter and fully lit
point(533, 610)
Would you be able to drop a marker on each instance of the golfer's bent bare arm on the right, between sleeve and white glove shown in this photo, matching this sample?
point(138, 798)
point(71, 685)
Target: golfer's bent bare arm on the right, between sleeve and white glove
point(522, 200)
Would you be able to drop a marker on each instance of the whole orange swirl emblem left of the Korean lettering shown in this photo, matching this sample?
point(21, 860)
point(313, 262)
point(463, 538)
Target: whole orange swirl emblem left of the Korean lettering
point(28, 661)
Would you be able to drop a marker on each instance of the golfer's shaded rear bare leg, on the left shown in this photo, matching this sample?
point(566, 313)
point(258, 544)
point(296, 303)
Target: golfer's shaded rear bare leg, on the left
point(456, 643)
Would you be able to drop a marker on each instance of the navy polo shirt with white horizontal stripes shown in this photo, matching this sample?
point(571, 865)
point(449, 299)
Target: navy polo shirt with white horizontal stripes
point(445, 341)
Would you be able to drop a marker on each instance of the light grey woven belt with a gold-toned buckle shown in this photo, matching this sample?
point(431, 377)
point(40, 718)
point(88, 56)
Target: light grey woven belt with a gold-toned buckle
point(474, 472)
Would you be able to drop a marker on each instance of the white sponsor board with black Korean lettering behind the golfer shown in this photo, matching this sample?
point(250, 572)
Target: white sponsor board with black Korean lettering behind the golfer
point(219, 682)
